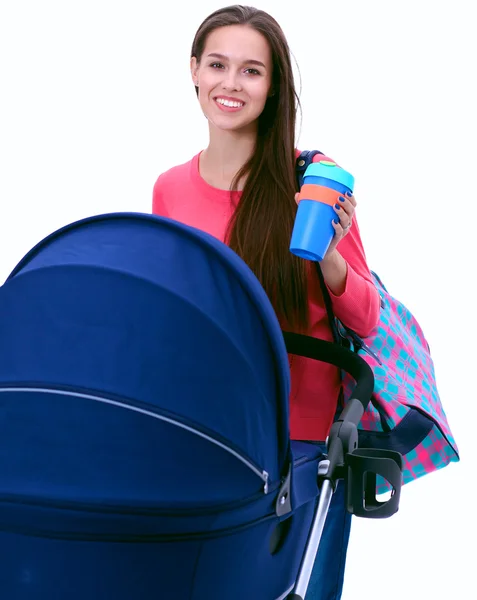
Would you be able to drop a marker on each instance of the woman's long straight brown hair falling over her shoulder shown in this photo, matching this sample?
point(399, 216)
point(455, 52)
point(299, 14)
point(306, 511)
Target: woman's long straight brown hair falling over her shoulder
point(260, 228)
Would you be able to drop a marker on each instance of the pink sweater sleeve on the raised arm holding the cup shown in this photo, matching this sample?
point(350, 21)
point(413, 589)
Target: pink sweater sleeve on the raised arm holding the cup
point(359, 305)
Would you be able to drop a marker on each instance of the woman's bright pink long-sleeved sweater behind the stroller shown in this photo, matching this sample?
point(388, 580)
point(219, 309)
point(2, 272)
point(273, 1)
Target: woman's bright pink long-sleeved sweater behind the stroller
point(181, 194)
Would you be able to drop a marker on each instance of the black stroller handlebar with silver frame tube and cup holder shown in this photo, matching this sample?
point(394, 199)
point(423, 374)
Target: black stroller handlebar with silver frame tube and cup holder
point(359, 468)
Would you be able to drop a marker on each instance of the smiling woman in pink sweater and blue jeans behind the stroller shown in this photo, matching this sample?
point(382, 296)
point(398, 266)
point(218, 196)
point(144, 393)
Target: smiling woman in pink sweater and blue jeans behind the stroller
point(242, 189)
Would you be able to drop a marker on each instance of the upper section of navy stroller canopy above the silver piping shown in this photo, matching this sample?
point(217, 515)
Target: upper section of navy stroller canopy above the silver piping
point(158, 318)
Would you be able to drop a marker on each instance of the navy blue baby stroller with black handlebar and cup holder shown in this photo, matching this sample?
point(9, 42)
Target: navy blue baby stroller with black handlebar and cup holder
point(145, 451)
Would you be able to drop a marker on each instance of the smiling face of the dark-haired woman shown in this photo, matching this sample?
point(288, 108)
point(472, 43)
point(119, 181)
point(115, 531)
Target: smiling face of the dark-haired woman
point(234, 77)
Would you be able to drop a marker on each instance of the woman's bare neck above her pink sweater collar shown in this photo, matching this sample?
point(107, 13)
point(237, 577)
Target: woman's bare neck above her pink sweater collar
point(225, 155)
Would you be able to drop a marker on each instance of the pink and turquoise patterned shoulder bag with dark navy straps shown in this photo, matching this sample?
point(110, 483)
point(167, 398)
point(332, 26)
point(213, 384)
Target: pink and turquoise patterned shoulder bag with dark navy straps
point(405, 413)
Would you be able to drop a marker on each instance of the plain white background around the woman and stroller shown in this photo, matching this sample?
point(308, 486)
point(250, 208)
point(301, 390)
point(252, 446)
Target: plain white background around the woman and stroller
point(96, 101)
